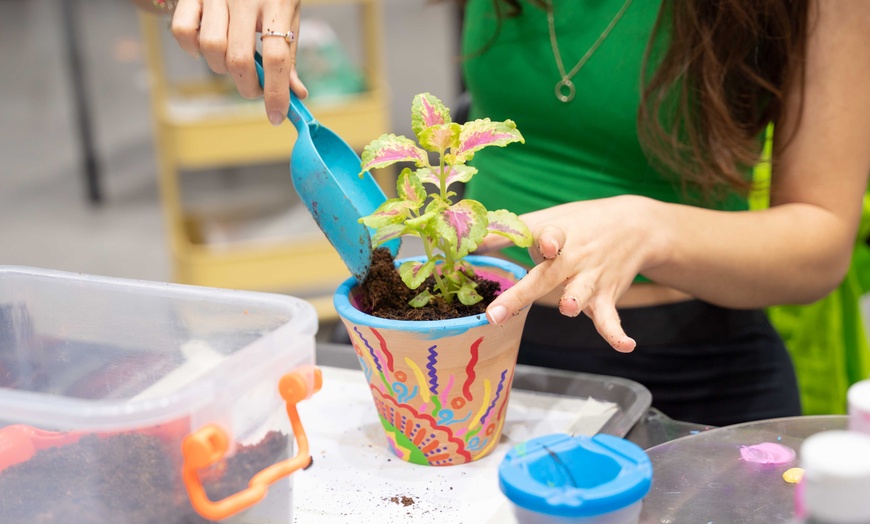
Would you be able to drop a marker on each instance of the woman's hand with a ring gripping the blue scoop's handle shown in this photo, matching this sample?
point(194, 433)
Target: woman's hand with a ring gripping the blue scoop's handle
point(225, 33)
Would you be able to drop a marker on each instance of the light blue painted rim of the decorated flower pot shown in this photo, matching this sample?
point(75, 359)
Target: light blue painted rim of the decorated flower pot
point(341, 301)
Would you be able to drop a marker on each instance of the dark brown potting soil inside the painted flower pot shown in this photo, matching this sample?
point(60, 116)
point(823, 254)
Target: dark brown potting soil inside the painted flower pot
point(386, 296)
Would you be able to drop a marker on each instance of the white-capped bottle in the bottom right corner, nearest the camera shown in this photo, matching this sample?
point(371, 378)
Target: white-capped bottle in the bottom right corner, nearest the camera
point(837, 477)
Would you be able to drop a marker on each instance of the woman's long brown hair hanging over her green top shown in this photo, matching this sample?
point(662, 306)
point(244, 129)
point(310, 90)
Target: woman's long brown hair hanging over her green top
point(715, 75)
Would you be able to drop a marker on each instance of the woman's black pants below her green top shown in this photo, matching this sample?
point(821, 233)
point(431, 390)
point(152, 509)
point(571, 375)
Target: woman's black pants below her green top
point(702, 363)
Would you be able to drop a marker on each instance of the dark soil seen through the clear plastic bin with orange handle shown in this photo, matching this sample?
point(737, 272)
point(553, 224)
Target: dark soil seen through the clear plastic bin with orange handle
point(125, 478)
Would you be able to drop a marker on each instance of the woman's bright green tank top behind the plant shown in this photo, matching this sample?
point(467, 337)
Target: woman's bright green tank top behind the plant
point(581, 150)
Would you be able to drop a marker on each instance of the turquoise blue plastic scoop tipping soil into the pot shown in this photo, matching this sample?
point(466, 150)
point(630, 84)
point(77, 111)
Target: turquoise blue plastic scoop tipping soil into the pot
point(324, 170)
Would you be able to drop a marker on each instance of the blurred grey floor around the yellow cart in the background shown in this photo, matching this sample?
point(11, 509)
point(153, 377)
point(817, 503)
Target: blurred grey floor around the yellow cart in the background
point(45, 218)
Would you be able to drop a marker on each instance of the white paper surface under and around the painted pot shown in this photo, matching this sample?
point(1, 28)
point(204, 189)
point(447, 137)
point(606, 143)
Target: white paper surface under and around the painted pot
point(355, 478)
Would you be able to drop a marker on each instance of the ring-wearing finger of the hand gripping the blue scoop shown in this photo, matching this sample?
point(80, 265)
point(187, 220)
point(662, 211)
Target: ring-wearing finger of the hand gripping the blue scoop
point(277, 62)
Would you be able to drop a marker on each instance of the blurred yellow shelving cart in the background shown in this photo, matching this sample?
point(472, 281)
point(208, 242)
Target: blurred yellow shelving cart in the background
point(238, 134)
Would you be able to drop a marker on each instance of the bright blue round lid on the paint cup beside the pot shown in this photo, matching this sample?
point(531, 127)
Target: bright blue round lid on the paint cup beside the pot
point(575, 476)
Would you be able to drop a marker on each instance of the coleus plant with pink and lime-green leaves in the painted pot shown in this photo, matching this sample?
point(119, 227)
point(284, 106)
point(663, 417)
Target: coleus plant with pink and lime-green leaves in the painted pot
point(449, 230)
